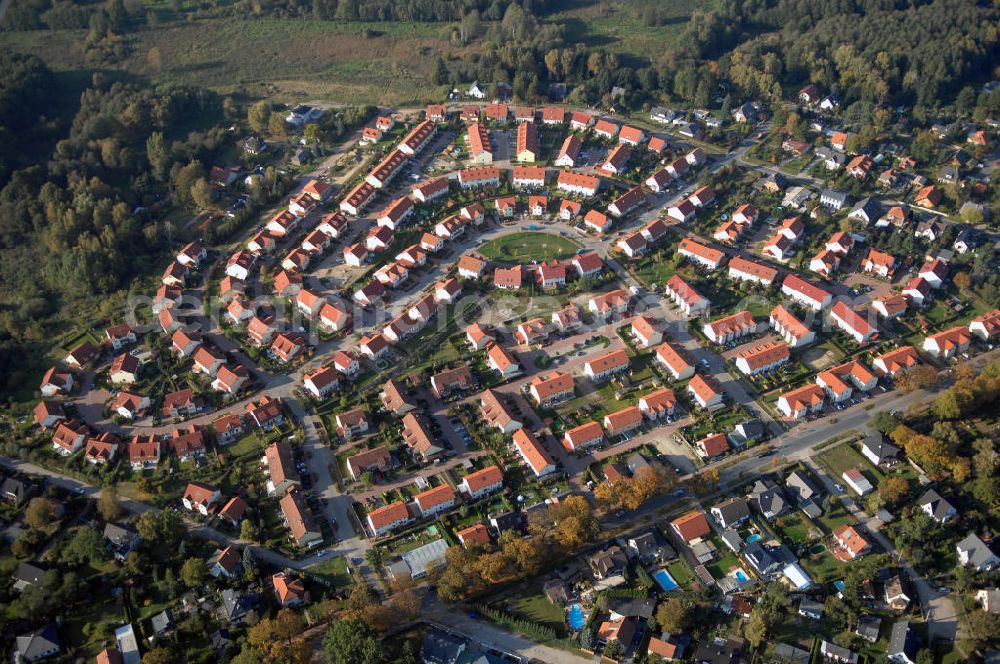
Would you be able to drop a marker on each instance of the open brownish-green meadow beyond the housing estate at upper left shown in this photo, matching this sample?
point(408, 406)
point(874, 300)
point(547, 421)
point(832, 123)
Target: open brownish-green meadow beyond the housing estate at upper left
point(292, 59)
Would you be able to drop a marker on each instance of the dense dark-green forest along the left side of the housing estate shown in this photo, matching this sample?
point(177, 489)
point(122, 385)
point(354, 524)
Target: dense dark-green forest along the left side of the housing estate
point(81, 195)
